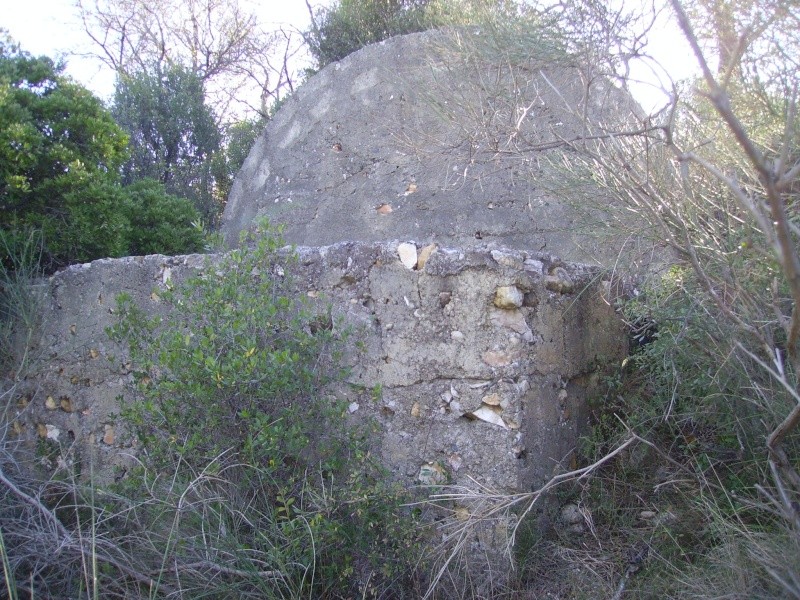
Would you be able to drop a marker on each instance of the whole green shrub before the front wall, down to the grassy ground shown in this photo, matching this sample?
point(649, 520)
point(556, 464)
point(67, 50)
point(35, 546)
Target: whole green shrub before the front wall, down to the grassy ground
point(230, 390)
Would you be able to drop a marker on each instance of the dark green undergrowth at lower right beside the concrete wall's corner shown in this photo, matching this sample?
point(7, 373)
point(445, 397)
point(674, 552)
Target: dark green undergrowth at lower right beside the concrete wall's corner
point(689, 510)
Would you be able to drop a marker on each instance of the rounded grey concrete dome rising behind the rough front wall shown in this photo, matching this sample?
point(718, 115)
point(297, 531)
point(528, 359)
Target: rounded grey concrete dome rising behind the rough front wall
point(429, 137)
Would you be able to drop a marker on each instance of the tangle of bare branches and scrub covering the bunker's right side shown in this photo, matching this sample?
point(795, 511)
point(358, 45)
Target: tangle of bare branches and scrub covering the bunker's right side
point(688, 485)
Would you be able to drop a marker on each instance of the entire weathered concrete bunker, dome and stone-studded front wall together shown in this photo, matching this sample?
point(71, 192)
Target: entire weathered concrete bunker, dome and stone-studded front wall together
point(483, 336)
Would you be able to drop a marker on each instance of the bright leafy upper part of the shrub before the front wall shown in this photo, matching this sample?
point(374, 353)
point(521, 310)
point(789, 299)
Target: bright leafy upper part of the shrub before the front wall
point(232, 362)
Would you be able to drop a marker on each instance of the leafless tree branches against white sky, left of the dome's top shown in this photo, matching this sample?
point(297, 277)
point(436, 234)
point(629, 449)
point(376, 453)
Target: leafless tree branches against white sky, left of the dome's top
point(216, 40)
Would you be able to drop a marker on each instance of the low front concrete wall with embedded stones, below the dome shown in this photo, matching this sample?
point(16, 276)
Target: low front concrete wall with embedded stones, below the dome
point(484, 356)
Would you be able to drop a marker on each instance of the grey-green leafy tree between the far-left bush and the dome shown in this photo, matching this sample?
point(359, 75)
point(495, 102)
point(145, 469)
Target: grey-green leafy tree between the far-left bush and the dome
point(173, 133)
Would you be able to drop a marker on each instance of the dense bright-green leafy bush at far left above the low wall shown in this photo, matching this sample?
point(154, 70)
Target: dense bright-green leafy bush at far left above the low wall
point(60, 157)
